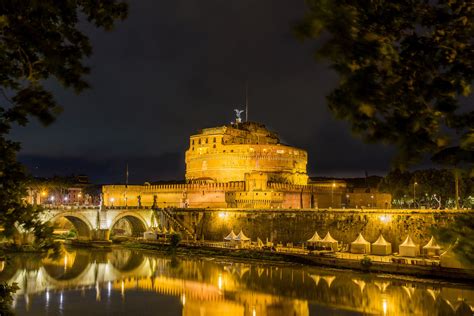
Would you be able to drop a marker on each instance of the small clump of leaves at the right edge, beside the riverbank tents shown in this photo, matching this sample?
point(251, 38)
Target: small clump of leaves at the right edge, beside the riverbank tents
point(461, 232)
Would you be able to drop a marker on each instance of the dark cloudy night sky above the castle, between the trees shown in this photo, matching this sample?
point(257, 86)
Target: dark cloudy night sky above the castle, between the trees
point(174, 67)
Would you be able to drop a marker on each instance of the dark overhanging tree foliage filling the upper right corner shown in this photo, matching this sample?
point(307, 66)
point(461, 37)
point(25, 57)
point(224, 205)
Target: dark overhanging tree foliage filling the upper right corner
point(404, 65)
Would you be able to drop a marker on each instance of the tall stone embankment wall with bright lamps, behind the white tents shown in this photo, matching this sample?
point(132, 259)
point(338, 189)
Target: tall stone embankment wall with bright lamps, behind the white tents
point(299, 226)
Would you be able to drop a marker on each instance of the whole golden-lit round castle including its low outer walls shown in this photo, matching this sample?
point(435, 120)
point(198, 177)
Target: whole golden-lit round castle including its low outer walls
point(241, 165)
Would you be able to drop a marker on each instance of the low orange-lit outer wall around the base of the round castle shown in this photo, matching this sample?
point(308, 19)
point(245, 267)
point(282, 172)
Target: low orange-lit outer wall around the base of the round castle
point(225, 195)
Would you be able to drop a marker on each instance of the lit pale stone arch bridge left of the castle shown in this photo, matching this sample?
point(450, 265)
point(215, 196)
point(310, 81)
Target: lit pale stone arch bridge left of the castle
point(95, 223)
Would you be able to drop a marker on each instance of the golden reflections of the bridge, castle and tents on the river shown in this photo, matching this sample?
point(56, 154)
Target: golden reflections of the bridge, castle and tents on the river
point(214, 288)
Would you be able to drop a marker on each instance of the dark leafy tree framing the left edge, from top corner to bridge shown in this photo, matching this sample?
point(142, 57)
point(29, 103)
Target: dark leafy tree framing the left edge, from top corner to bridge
point(39, 41)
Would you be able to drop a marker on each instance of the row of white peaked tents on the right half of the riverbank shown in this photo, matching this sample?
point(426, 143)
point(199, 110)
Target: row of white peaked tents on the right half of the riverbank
point(380, 247)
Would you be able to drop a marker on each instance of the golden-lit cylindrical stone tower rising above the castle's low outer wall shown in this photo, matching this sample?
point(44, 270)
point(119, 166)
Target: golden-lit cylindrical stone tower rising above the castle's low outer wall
point(227, 153)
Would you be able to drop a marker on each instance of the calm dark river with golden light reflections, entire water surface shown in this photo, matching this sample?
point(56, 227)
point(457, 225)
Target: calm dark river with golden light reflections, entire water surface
point(127, 282)
